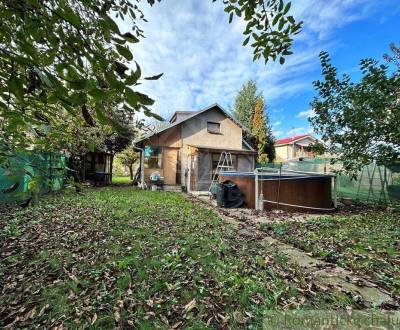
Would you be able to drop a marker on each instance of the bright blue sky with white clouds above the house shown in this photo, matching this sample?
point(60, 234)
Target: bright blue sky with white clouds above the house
point(204, 62)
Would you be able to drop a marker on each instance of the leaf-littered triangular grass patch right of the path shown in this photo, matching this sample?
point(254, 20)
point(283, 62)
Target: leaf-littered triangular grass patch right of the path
point(368, 244)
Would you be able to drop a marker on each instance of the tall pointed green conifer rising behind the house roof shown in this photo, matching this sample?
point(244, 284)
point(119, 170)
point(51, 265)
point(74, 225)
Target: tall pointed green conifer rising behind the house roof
point(245, 104)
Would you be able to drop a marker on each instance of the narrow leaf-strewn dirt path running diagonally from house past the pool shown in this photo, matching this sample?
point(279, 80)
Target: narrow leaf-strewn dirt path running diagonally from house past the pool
point(327, 275)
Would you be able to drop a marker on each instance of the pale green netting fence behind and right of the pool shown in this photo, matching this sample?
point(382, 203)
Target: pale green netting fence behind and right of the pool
point(374, 183)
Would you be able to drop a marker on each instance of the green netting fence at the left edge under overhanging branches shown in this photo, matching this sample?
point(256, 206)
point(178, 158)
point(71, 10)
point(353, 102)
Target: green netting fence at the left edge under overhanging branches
point(30, 172)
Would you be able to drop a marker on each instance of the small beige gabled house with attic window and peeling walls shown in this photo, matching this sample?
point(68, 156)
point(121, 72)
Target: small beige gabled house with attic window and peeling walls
point(187, 151)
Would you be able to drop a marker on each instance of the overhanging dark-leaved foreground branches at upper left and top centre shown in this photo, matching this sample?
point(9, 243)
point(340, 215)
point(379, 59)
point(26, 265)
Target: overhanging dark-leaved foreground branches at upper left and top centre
point(58, 58)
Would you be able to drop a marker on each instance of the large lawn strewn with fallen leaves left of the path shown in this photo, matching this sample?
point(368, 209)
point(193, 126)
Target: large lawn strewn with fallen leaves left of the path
point(127, 258)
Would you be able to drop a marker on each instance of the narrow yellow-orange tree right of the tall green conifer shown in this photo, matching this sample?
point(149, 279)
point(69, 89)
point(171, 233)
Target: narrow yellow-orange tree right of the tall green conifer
point(262, 134)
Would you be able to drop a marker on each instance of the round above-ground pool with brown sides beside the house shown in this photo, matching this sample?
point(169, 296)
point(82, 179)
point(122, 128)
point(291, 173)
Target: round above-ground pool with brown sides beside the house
point(288, 191)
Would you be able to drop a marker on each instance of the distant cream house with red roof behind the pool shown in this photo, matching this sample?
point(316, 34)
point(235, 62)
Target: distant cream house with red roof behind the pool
point(294, 148)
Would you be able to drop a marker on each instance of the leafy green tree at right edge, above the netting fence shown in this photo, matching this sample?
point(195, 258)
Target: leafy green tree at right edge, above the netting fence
point(359, 121)
